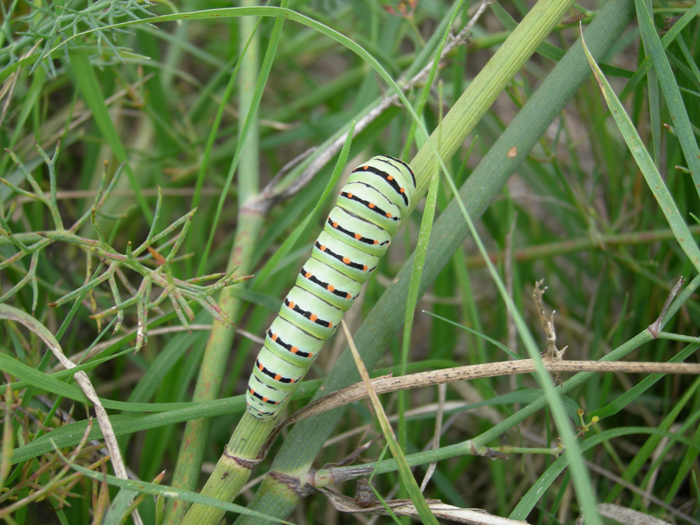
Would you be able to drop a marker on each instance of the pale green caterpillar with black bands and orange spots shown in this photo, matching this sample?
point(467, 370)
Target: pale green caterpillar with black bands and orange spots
point(356, 234)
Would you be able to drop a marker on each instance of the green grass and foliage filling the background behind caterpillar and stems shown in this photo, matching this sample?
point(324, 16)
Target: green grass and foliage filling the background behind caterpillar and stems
point(169, 102)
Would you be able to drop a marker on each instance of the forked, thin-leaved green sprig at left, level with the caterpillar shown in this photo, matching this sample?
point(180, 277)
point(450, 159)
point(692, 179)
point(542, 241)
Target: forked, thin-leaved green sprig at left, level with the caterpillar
point(146, 261)
